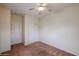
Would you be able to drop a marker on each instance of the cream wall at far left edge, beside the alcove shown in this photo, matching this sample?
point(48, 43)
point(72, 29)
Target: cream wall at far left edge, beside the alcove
point(4, 29)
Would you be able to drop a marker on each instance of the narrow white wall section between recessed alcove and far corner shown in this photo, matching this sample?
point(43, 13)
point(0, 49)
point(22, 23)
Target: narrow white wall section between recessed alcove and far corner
point(30, 29)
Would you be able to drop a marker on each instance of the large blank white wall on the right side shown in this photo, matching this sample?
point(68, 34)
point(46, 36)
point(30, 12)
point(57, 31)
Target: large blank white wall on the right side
point(62, 29)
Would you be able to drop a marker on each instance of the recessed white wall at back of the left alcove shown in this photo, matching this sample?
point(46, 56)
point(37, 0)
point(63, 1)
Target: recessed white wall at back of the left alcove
point(16, 29)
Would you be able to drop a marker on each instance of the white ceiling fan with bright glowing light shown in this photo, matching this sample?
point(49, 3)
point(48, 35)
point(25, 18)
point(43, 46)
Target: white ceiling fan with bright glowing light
point(40, 7)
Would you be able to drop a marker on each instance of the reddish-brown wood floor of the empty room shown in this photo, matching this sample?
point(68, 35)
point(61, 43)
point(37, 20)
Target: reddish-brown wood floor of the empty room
point(36, 49)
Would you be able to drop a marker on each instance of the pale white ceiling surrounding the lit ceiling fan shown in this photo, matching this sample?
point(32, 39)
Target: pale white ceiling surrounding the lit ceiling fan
point(23, 8)
